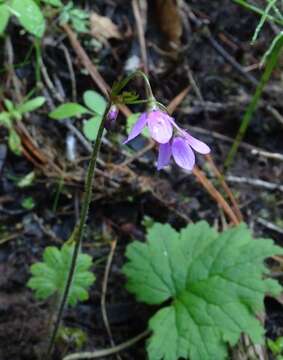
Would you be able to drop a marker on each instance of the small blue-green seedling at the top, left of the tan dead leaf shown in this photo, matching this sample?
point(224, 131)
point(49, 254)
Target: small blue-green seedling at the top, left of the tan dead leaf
point(78, 18)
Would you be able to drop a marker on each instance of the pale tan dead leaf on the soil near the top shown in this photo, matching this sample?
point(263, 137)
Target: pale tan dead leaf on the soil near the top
point(103, 28)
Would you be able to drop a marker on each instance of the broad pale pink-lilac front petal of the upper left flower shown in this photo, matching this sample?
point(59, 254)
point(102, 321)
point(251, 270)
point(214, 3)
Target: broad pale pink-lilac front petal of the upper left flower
point(159, 126)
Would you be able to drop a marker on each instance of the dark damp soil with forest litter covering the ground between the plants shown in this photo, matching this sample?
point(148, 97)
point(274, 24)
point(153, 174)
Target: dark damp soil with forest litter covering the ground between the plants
point(118, 211)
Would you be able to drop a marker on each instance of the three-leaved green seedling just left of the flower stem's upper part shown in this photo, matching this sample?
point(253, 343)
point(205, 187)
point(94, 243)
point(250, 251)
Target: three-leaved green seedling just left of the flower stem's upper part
point(95, 106)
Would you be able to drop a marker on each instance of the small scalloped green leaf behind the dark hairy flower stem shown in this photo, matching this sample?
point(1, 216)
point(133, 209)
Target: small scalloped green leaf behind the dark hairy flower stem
point(49, 277)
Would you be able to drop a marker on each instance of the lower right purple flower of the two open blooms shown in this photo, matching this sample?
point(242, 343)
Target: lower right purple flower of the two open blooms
point(181, 148)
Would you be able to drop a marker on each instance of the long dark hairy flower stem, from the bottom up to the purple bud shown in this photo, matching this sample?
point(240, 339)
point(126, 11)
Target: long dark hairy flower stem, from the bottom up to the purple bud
point(79, 232)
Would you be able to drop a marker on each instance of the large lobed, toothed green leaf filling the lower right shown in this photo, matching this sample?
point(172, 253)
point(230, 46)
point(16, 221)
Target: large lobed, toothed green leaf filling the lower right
point(215, 283)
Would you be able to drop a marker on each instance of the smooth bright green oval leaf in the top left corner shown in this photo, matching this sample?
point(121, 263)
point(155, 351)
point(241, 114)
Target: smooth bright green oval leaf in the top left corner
point(29, 16)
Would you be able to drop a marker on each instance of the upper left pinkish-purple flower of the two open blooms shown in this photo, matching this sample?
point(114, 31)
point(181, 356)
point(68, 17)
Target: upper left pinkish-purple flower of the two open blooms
point(159, 125)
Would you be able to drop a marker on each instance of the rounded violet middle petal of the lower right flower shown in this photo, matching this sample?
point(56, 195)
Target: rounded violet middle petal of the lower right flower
point(183, 154)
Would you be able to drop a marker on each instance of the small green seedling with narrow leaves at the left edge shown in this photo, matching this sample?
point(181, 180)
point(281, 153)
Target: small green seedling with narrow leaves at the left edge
point(15, 113)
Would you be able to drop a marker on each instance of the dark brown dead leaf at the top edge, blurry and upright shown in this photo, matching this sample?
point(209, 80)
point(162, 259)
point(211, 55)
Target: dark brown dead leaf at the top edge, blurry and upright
point(169, 20)
